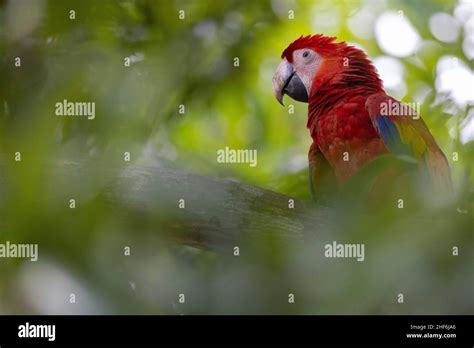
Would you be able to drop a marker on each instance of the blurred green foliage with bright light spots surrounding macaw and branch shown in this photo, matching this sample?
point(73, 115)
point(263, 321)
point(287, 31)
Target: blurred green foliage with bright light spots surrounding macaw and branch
point(424, 52)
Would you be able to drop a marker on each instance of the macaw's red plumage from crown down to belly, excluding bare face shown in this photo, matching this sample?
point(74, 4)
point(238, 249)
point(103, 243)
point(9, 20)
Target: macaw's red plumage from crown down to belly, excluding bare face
point(342, 129)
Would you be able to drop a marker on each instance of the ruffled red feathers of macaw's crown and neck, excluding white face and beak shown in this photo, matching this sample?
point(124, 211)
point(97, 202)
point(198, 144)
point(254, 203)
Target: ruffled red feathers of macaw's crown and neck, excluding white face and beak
point(345, 71)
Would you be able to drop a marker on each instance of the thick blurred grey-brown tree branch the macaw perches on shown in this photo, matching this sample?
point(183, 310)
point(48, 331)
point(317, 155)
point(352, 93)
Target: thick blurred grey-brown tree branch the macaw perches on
point(217, 212)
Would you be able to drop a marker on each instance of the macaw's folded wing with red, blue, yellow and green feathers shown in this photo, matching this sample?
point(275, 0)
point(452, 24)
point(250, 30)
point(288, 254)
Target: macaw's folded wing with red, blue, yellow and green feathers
point(405, 133)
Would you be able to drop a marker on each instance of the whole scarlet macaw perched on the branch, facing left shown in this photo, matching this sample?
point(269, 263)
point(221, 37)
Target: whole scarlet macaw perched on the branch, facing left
point(348, 117)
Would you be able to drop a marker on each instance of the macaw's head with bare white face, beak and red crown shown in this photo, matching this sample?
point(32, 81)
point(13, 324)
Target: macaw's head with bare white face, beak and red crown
point(315, 60)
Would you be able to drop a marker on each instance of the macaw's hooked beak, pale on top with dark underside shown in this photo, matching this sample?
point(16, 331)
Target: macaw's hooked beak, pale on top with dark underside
point(286, 81)
